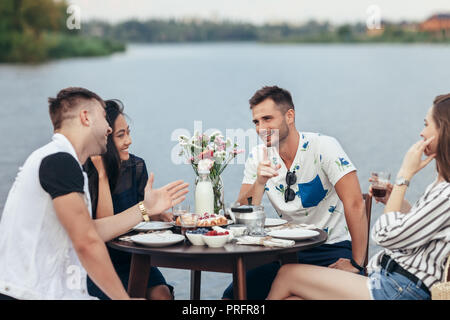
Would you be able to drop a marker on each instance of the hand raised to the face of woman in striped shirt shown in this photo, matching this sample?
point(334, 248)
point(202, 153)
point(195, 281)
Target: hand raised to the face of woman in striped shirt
point(412, 162)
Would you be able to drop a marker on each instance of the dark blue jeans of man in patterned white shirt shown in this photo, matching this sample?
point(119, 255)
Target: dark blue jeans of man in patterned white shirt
point(259, 280)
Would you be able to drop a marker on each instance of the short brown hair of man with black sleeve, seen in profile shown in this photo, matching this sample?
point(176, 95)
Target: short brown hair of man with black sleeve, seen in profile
point(66, 100)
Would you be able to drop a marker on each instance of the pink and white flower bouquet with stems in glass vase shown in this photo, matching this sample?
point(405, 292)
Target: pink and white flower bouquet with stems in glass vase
point(216, 153)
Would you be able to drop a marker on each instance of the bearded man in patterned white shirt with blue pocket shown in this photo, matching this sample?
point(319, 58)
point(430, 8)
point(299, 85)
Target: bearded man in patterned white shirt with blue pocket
point(308, 178)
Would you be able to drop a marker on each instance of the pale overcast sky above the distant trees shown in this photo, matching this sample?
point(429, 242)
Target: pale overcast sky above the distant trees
point(260, 11)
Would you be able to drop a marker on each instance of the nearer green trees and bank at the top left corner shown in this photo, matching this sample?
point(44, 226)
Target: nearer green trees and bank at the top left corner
point(35, 31)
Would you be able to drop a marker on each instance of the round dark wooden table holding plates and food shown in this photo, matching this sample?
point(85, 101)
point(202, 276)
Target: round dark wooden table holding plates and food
point(232, 258)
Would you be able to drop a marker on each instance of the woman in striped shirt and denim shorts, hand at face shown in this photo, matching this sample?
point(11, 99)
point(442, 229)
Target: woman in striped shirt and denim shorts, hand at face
point(416, 240)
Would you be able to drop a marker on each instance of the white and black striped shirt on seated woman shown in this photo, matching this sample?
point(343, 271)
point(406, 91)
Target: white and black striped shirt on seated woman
point(419, 241)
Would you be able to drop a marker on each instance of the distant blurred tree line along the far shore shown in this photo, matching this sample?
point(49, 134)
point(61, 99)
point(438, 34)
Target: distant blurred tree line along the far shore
point(167, 31)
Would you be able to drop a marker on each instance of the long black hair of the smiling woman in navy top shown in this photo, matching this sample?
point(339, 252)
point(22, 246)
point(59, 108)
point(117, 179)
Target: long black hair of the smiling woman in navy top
point(111, 158)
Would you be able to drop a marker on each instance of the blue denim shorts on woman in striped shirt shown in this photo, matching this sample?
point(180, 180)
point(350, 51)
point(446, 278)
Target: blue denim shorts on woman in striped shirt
point(393, 286)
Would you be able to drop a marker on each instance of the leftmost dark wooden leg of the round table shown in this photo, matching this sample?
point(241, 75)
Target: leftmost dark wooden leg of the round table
point(139, 275)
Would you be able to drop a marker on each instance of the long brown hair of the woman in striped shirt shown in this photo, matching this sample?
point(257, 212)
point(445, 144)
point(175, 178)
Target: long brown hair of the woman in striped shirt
point(441, 116)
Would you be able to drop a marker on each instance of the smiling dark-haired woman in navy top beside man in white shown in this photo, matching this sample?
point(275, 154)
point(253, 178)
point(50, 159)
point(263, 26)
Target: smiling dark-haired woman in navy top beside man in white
point(117, 180)
